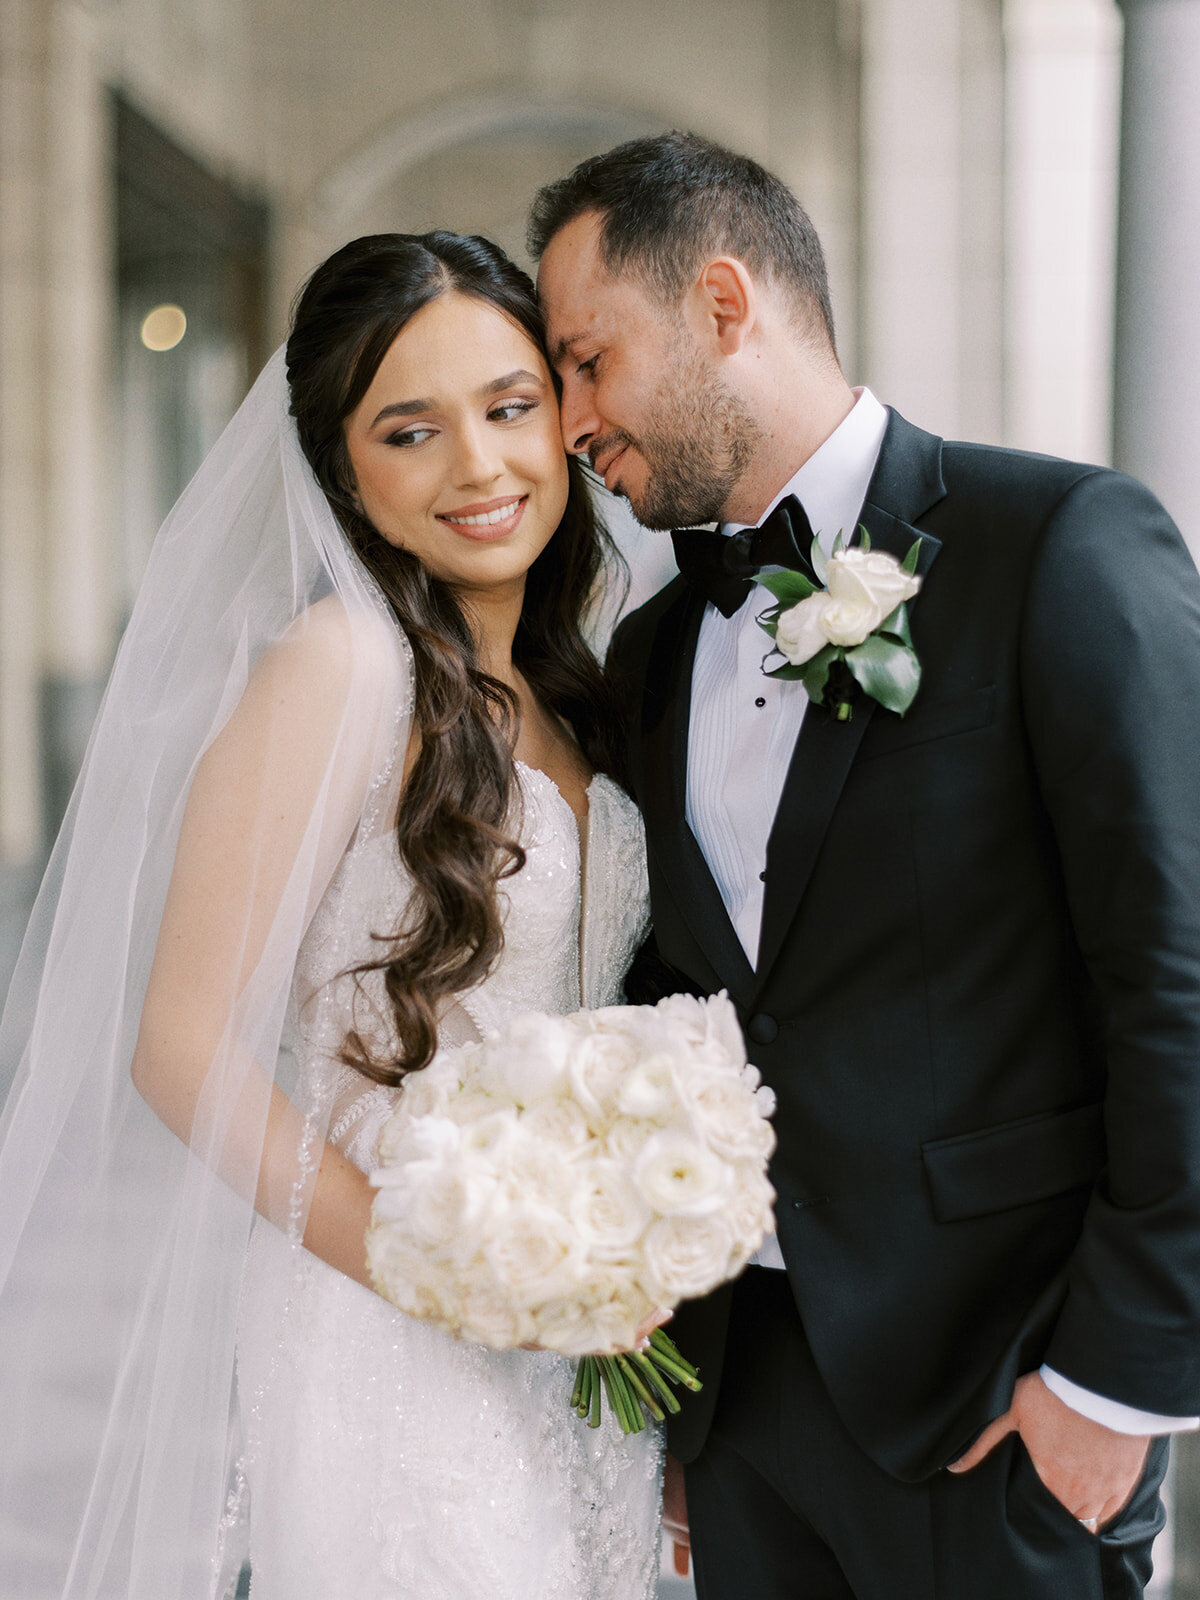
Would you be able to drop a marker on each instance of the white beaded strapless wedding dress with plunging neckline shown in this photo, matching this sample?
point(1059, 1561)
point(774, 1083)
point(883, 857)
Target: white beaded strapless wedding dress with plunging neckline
point(383, 1458)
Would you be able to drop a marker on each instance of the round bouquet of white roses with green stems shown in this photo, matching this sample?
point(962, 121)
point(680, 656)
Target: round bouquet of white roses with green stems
point(559, 1182)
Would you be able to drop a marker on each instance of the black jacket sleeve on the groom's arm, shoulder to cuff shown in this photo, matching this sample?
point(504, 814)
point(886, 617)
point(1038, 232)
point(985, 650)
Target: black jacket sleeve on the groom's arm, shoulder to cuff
point(1111, 681)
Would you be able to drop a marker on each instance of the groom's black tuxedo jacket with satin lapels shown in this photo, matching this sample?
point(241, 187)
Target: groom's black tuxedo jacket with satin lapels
point(978, 988)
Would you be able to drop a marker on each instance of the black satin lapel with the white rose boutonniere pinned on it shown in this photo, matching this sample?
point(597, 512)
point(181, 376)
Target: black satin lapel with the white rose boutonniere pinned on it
point(910, 479)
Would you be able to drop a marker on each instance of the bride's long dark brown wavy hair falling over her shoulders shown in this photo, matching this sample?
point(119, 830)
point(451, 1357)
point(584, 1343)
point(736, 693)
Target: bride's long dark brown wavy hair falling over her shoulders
point(460, 801)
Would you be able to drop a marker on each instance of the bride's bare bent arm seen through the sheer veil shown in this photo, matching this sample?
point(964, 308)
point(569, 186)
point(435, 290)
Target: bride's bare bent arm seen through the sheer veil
point(271, 810)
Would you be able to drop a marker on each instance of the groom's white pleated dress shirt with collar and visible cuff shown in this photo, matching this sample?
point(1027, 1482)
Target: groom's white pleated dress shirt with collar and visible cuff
point(742, 735)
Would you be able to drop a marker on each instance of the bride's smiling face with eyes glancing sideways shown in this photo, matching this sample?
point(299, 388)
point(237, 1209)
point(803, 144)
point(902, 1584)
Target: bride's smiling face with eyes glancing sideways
point(457, 449)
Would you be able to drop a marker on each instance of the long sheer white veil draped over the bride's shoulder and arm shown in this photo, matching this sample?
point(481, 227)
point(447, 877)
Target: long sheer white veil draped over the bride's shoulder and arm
point(121, 1247)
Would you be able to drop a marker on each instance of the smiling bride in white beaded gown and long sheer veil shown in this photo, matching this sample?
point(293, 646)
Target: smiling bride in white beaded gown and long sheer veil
point(346, 804)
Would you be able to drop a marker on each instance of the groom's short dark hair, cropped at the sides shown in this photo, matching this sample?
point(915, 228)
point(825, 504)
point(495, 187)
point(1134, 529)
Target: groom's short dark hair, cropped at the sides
point(671, 201)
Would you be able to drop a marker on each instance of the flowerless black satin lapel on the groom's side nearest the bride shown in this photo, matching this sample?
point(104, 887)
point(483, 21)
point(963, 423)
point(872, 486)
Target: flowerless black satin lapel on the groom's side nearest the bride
point(666, 713)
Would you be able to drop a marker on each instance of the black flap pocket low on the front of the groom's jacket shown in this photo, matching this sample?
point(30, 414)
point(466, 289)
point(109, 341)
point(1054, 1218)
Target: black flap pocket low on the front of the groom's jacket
point(1015, 1162)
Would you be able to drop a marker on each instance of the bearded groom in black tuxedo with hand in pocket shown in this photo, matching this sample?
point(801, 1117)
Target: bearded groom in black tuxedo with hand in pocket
point(964, 943)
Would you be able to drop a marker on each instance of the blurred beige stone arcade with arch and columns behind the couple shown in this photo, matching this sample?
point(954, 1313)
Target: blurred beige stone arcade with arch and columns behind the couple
point(1009, 193)
